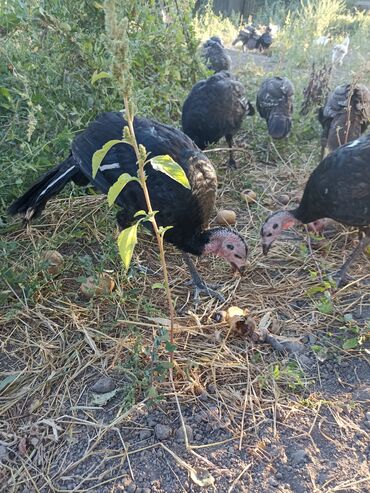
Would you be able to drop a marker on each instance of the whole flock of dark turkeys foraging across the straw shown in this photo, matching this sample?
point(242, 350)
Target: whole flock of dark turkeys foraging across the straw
point(339, 188)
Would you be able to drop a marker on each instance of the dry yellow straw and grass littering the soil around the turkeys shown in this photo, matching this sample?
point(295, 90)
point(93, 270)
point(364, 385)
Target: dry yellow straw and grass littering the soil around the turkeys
point(55, 343)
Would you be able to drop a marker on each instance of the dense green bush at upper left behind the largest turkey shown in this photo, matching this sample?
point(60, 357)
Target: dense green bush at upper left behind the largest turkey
point(48, 57)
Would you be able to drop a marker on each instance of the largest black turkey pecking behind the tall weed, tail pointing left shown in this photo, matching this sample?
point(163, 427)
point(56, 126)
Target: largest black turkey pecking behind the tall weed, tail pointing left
point(188, 211)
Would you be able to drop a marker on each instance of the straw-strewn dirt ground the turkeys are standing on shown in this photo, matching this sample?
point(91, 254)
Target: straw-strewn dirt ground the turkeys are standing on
point(75, 411)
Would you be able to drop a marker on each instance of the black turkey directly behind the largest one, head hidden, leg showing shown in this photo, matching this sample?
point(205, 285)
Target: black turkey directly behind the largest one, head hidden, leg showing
point(215, 108)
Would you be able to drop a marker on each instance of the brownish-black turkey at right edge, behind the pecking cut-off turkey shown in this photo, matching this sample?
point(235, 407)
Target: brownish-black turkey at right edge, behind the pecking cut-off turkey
point(345, 116)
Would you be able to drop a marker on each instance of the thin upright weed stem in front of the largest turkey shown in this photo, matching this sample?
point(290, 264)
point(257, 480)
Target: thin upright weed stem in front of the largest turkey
point(158, 235)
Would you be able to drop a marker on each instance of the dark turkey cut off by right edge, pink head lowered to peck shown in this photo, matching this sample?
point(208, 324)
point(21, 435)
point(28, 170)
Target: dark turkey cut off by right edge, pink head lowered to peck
point(339, 188)
